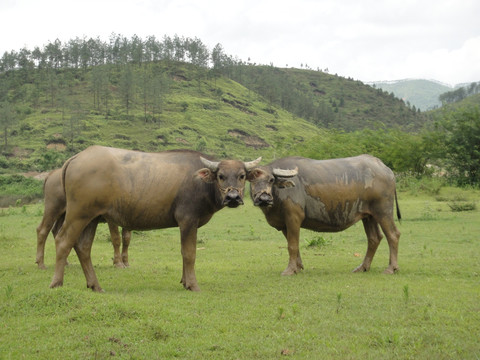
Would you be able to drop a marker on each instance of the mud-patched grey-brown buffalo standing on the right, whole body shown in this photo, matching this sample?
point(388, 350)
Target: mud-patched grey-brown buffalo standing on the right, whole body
point(328, 196)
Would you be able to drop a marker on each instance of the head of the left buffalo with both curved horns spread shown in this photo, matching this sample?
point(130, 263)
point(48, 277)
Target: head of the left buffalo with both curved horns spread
point(229, 177)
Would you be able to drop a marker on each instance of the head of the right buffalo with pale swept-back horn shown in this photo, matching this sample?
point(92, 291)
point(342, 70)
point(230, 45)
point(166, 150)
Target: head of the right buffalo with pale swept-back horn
point(263, 178)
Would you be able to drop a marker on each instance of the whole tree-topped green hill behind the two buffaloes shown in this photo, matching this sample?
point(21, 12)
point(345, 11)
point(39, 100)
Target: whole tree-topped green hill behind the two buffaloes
point(155, 95)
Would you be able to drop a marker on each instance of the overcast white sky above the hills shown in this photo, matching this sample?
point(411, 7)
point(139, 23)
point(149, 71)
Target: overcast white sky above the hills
point(363, 39)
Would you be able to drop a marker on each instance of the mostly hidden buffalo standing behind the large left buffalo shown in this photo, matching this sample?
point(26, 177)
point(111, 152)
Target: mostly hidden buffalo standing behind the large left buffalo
point(54, 214)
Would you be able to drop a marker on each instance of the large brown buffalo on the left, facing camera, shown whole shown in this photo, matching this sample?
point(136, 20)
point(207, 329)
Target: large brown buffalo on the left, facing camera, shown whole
point(142, 191)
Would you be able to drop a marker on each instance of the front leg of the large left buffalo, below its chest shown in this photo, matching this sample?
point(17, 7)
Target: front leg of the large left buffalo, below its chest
point(188, 234)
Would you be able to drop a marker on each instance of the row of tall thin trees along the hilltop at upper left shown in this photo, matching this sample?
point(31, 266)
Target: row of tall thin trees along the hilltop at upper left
point(82, 53)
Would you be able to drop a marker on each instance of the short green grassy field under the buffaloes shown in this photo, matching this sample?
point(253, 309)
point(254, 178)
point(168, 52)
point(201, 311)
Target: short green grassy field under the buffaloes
point(246, 310)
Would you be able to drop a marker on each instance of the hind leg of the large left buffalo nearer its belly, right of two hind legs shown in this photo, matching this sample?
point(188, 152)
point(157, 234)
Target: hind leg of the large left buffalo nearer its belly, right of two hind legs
point(83, 248)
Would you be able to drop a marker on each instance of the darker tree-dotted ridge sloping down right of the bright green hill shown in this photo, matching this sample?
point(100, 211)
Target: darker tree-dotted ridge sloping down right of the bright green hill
point(329, 101)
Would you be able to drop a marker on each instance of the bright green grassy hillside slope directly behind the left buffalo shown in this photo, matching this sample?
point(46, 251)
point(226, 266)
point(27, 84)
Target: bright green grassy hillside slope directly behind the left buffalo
point(216, 116)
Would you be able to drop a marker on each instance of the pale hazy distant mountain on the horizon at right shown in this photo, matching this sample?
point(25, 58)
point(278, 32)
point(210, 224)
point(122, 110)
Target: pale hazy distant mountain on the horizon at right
point(423, 94)
